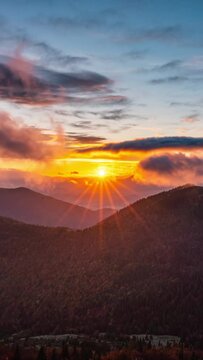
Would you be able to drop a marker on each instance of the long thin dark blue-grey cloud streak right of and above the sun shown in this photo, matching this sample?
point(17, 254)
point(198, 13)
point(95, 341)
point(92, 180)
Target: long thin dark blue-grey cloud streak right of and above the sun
point(150, 144)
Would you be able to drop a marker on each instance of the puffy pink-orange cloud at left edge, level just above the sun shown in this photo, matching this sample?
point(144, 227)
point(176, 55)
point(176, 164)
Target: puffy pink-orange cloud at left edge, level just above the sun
point(23, 142)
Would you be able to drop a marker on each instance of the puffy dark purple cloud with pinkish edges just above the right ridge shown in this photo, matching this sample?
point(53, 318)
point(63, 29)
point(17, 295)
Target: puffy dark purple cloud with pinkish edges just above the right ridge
point(168, 164)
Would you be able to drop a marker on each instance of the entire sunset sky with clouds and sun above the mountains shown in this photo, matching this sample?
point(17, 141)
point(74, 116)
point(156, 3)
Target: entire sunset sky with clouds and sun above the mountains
point(101, 92)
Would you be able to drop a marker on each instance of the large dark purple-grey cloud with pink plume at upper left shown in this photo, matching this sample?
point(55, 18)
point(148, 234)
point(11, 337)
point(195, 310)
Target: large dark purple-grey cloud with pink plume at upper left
point(21, 81)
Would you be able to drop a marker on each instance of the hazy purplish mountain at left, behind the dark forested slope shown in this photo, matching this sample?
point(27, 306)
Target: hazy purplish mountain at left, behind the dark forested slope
point(34, 208)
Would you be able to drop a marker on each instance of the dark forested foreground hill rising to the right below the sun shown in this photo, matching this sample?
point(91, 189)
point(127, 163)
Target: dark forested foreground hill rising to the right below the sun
point(140, 270)
